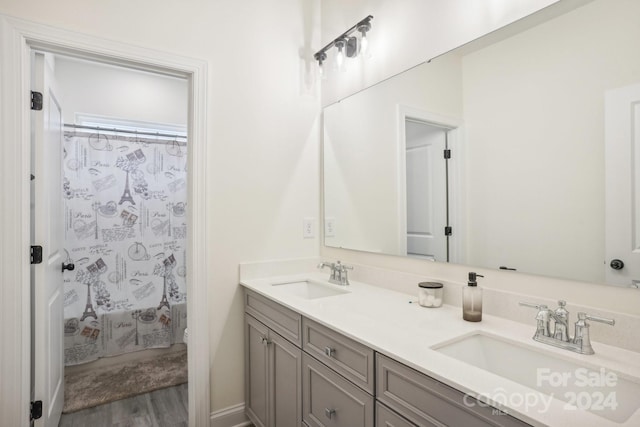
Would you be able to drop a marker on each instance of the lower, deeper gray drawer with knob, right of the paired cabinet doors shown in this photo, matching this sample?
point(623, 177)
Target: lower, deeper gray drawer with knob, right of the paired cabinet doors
point(330, 400)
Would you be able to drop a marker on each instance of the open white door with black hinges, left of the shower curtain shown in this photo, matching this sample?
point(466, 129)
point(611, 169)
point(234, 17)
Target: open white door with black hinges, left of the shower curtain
point(47, 352)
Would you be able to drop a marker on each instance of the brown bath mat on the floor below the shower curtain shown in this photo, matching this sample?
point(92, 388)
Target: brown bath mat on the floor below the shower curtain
point(93, 388)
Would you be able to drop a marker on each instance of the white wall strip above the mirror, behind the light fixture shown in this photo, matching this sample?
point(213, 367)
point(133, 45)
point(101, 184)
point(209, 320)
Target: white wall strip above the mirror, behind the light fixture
point(405, 33)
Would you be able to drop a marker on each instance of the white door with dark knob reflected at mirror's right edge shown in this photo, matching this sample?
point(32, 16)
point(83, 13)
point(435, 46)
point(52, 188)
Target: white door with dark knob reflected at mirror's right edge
point(622, 152)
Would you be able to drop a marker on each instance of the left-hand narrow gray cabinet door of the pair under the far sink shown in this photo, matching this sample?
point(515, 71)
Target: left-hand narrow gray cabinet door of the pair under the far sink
point(256, 372)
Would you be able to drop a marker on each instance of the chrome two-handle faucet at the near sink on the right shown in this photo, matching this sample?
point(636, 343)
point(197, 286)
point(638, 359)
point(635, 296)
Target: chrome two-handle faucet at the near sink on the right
point(581, 342)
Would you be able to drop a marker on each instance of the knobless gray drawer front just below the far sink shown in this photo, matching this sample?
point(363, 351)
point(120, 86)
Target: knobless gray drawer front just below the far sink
point(280, 319)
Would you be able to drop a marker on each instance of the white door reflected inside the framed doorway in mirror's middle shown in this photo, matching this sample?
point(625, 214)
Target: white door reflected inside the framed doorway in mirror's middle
point(426, 191)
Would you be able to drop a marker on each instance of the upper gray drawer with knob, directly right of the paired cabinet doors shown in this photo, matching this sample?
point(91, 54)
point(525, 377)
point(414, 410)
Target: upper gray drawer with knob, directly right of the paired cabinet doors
point(349, 358)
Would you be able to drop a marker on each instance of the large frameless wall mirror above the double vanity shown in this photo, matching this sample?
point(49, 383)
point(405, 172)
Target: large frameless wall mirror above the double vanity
point(541, 131)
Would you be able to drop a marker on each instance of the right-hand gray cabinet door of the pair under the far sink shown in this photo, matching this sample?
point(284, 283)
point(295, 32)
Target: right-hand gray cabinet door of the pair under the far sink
point(286, 378)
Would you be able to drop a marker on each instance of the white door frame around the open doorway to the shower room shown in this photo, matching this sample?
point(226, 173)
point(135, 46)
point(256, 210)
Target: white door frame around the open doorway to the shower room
point(18, 38)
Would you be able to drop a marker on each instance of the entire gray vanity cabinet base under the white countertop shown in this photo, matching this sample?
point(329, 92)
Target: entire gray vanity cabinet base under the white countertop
point(301, 373)
